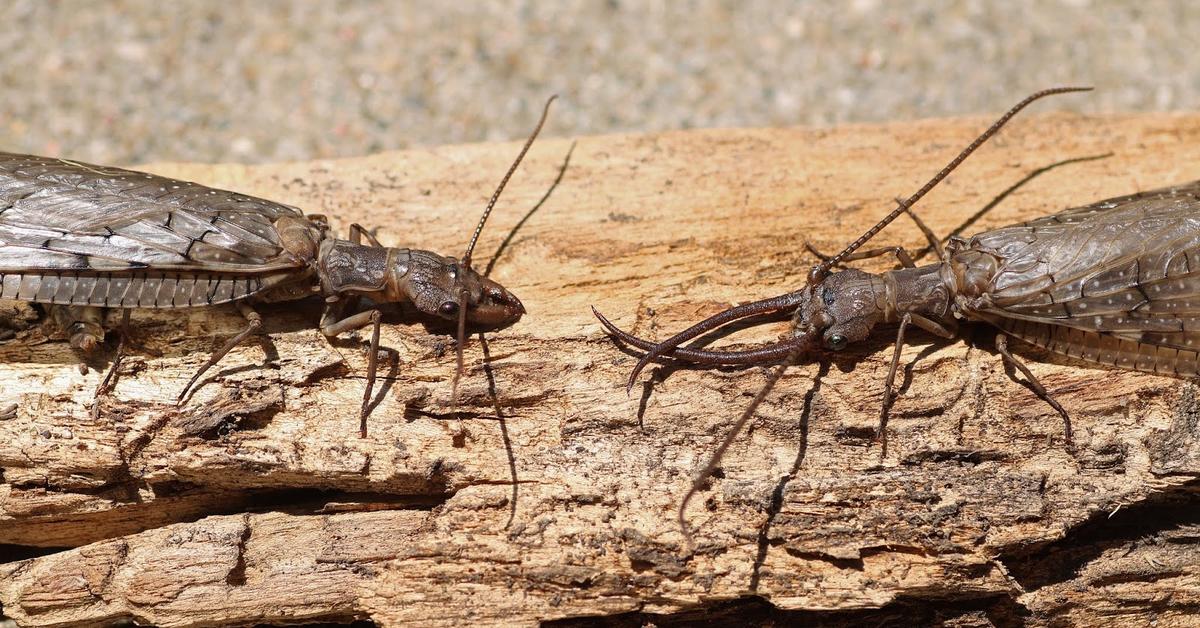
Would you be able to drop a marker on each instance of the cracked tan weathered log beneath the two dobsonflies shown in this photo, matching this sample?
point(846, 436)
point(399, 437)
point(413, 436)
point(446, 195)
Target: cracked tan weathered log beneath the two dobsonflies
point(257, 501)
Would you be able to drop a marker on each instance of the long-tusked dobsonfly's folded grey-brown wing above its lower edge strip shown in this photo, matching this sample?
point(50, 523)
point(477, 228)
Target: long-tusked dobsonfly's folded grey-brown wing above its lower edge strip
point(1129, 267)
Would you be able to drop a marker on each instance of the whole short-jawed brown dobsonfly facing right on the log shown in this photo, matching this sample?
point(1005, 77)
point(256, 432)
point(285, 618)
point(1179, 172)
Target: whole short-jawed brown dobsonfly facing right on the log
point(85, 238)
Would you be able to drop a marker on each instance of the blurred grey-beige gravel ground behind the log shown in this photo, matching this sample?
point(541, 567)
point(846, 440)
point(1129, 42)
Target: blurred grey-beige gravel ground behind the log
point(136, 81)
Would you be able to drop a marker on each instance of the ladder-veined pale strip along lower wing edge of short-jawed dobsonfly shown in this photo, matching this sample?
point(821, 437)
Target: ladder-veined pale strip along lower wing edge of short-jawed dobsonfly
point(131, 290)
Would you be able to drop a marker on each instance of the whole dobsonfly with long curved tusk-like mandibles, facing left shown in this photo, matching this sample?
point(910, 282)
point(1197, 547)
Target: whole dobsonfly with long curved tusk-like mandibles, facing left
point(1115, 283)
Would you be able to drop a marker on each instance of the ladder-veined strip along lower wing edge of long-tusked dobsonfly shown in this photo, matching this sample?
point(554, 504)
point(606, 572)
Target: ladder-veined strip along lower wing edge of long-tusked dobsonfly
point(1103, 349)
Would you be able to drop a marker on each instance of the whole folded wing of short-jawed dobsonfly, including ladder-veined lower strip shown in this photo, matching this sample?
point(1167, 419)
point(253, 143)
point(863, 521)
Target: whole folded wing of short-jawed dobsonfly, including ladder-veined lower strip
point(87, 235)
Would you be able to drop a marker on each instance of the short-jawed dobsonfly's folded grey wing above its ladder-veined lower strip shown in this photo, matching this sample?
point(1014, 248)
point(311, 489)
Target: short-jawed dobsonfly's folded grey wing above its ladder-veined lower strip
point(64, 216)
